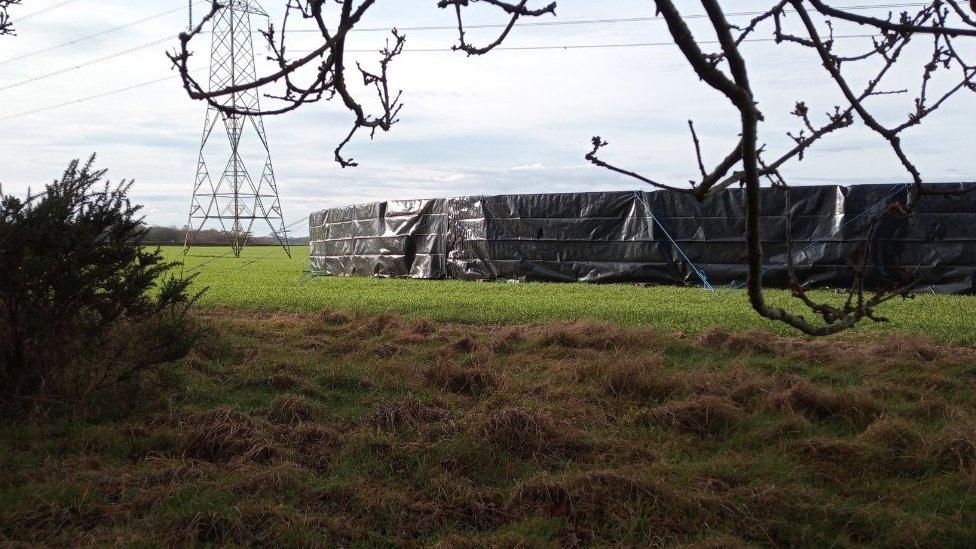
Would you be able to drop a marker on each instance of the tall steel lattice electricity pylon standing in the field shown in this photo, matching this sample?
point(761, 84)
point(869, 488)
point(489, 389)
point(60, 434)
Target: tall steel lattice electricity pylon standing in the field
point(235, 199)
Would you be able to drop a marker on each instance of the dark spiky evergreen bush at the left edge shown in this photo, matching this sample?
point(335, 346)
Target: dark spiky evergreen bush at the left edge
point(84, 305)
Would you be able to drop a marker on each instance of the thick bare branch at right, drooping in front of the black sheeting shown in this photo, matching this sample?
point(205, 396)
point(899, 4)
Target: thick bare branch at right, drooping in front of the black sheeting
point(726, 71)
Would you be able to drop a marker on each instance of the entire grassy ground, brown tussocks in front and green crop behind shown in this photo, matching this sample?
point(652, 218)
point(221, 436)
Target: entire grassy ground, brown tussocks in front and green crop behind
point(335, 412)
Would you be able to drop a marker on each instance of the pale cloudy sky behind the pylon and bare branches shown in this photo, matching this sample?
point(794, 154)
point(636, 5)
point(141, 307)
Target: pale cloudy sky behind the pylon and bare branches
point(511, 121)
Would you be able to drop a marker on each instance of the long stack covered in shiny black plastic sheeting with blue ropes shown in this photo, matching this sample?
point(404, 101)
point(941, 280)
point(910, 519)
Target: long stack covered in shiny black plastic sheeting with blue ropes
point(658, 237)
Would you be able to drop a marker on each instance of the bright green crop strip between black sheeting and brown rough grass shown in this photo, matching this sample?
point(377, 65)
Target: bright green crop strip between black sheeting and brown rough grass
point(265, 279)
